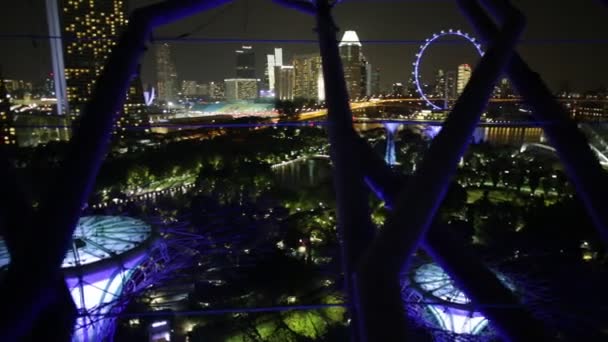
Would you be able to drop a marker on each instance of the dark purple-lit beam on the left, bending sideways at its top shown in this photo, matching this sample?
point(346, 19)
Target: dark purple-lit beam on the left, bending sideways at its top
point(57, 219)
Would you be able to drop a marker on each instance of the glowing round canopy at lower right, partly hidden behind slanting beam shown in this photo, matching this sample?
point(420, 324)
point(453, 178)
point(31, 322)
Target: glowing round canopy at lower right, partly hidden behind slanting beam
point(443, 308)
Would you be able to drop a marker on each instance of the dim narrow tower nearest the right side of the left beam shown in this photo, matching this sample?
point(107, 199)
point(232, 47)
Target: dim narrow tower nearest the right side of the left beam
point(166, 74)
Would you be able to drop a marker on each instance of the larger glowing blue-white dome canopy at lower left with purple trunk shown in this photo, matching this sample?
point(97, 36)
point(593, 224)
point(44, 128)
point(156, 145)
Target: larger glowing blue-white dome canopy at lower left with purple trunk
point(105, 252)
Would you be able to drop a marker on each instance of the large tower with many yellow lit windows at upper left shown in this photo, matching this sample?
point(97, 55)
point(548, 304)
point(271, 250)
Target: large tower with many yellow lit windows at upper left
point(90, 31)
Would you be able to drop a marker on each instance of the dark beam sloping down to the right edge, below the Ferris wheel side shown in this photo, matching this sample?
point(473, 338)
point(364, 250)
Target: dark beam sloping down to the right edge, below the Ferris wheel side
point(580, 163)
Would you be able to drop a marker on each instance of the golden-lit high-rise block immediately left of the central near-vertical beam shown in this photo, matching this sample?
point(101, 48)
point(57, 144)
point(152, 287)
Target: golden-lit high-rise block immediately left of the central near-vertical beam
point(308, 76)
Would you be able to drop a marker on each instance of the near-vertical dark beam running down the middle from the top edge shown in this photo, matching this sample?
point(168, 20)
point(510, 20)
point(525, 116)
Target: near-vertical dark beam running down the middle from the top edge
point(355, 228)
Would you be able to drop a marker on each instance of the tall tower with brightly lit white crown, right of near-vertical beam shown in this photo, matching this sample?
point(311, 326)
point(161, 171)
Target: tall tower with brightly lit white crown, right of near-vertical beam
point(354, 64)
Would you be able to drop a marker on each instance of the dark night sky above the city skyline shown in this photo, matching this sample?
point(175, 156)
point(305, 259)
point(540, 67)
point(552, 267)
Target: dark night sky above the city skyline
point(564, 40)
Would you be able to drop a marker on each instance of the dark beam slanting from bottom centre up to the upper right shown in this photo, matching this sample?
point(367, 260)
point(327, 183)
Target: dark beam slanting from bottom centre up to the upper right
point(416, 205)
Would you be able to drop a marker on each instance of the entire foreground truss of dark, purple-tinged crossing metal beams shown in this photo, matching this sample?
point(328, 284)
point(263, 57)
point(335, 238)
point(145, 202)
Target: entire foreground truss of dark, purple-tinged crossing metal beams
point(372, 261)
